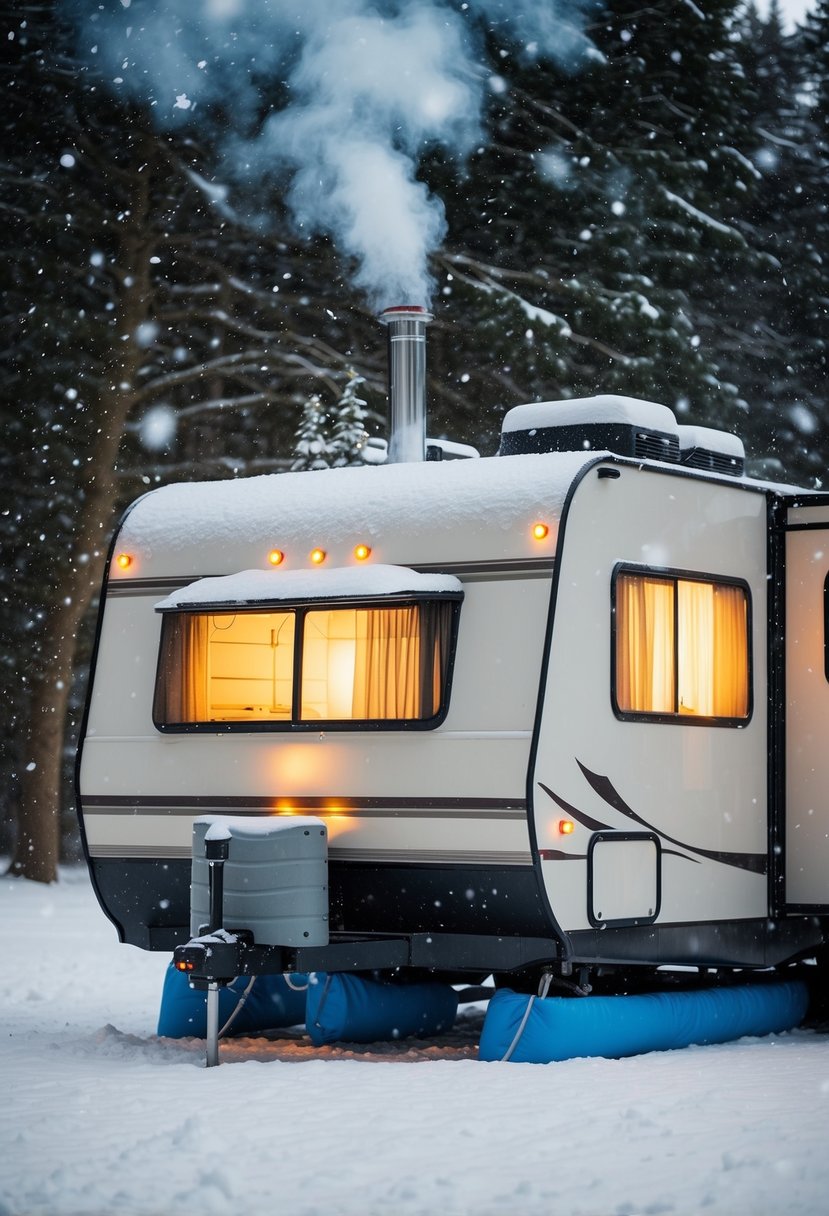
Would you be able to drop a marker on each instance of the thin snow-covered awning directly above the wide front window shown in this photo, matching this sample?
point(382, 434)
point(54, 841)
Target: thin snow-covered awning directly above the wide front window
point(346, 583)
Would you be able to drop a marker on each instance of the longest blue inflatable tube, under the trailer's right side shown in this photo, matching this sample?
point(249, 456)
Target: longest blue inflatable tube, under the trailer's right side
point(565, 1028)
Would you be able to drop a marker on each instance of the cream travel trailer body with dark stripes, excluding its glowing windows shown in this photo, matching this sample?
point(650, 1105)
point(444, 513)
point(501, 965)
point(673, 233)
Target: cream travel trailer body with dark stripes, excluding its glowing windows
point(538, 808)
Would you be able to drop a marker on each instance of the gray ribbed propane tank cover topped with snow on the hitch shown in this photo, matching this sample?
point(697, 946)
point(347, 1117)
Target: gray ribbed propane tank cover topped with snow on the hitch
point(275, 879)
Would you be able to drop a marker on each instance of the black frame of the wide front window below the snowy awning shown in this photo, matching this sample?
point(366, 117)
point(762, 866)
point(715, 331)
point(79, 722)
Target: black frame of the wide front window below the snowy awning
point(301, 609)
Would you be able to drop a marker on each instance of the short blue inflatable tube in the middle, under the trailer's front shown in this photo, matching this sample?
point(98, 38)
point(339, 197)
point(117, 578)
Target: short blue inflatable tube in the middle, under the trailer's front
point(348, 1009)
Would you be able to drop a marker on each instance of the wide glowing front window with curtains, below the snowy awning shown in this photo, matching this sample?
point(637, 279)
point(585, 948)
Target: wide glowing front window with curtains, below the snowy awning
point(307, 666)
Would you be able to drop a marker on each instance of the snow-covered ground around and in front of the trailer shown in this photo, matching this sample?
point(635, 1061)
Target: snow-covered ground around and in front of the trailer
point(99, 1117)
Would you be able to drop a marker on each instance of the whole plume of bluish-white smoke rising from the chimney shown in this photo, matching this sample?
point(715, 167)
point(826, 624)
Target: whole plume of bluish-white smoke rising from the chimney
point(371, 86)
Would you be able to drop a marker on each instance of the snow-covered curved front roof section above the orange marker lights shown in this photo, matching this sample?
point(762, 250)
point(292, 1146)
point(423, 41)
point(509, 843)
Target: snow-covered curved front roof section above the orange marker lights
point(409, 515)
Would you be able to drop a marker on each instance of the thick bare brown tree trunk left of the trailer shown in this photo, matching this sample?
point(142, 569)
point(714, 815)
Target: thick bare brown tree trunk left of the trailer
point(78, 578)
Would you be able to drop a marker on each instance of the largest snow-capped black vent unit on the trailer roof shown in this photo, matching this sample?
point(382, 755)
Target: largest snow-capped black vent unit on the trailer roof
point(622, 425)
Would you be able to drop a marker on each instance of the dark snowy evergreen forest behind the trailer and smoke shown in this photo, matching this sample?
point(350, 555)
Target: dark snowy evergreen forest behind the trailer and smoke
point(655, 226)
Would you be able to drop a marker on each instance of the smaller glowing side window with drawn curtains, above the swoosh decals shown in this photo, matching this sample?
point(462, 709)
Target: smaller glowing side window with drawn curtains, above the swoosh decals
point(681, 648)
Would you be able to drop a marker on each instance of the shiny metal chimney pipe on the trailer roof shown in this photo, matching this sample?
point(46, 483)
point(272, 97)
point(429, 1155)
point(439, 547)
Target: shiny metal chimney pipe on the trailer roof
point(407, 326)
